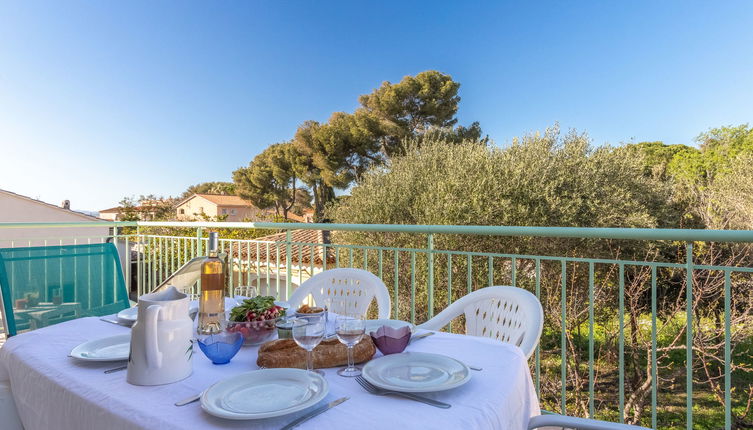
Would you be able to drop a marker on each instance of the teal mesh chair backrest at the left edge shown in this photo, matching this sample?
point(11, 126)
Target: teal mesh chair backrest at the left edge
point(45, 285)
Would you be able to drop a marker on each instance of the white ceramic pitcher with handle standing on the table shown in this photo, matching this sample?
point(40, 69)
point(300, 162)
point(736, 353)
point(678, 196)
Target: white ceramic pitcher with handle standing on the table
point(161, 340)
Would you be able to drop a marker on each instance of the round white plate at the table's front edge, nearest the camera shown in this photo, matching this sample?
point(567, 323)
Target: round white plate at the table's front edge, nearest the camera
point(264, 393)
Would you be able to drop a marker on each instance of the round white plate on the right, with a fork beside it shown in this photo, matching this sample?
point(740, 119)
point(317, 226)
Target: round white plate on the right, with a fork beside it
point(416, 372)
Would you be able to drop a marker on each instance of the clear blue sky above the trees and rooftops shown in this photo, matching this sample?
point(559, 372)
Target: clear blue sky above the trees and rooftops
point(103, 99)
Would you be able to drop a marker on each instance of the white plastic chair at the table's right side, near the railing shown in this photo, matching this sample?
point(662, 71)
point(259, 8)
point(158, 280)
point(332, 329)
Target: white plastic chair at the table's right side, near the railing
point(510, 314)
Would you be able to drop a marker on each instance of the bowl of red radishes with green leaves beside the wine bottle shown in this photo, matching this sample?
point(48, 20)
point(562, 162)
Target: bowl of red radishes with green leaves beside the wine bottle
point(255, 319)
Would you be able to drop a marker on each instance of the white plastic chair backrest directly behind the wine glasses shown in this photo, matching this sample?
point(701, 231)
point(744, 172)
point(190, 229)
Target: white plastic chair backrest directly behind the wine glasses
point(350, 291)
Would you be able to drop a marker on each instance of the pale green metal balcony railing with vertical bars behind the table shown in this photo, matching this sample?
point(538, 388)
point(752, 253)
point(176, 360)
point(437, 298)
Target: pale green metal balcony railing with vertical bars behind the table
point(625, 338)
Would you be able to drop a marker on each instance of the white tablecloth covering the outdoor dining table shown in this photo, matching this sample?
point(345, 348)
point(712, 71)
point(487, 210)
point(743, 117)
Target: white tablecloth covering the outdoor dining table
point(54, 391)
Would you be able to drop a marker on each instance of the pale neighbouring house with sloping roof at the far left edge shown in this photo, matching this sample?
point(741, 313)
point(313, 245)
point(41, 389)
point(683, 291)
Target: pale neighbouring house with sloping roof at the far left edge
point(17, 208)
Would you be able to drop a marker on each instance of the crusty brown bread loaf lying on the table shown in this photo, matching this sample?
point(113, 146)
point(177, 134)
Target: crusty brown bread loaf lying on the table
point(329, 353)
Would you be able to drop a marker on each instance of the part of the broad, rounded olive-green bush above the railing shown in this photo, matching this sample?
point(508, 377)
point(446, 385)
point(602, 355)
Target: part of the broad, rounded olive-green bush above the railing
point(547, 180)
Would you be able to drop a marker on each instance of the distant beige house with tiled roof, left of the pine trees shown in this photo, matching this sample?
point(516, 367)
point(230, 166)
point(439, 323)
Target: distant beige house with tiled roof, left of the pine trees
point(215, 205)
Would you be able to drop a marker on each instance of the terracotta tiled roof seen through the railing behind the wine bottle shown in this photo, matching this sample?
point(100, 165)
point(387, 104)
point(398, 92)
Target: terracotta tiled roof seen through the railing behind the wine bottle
point(302, 240)
